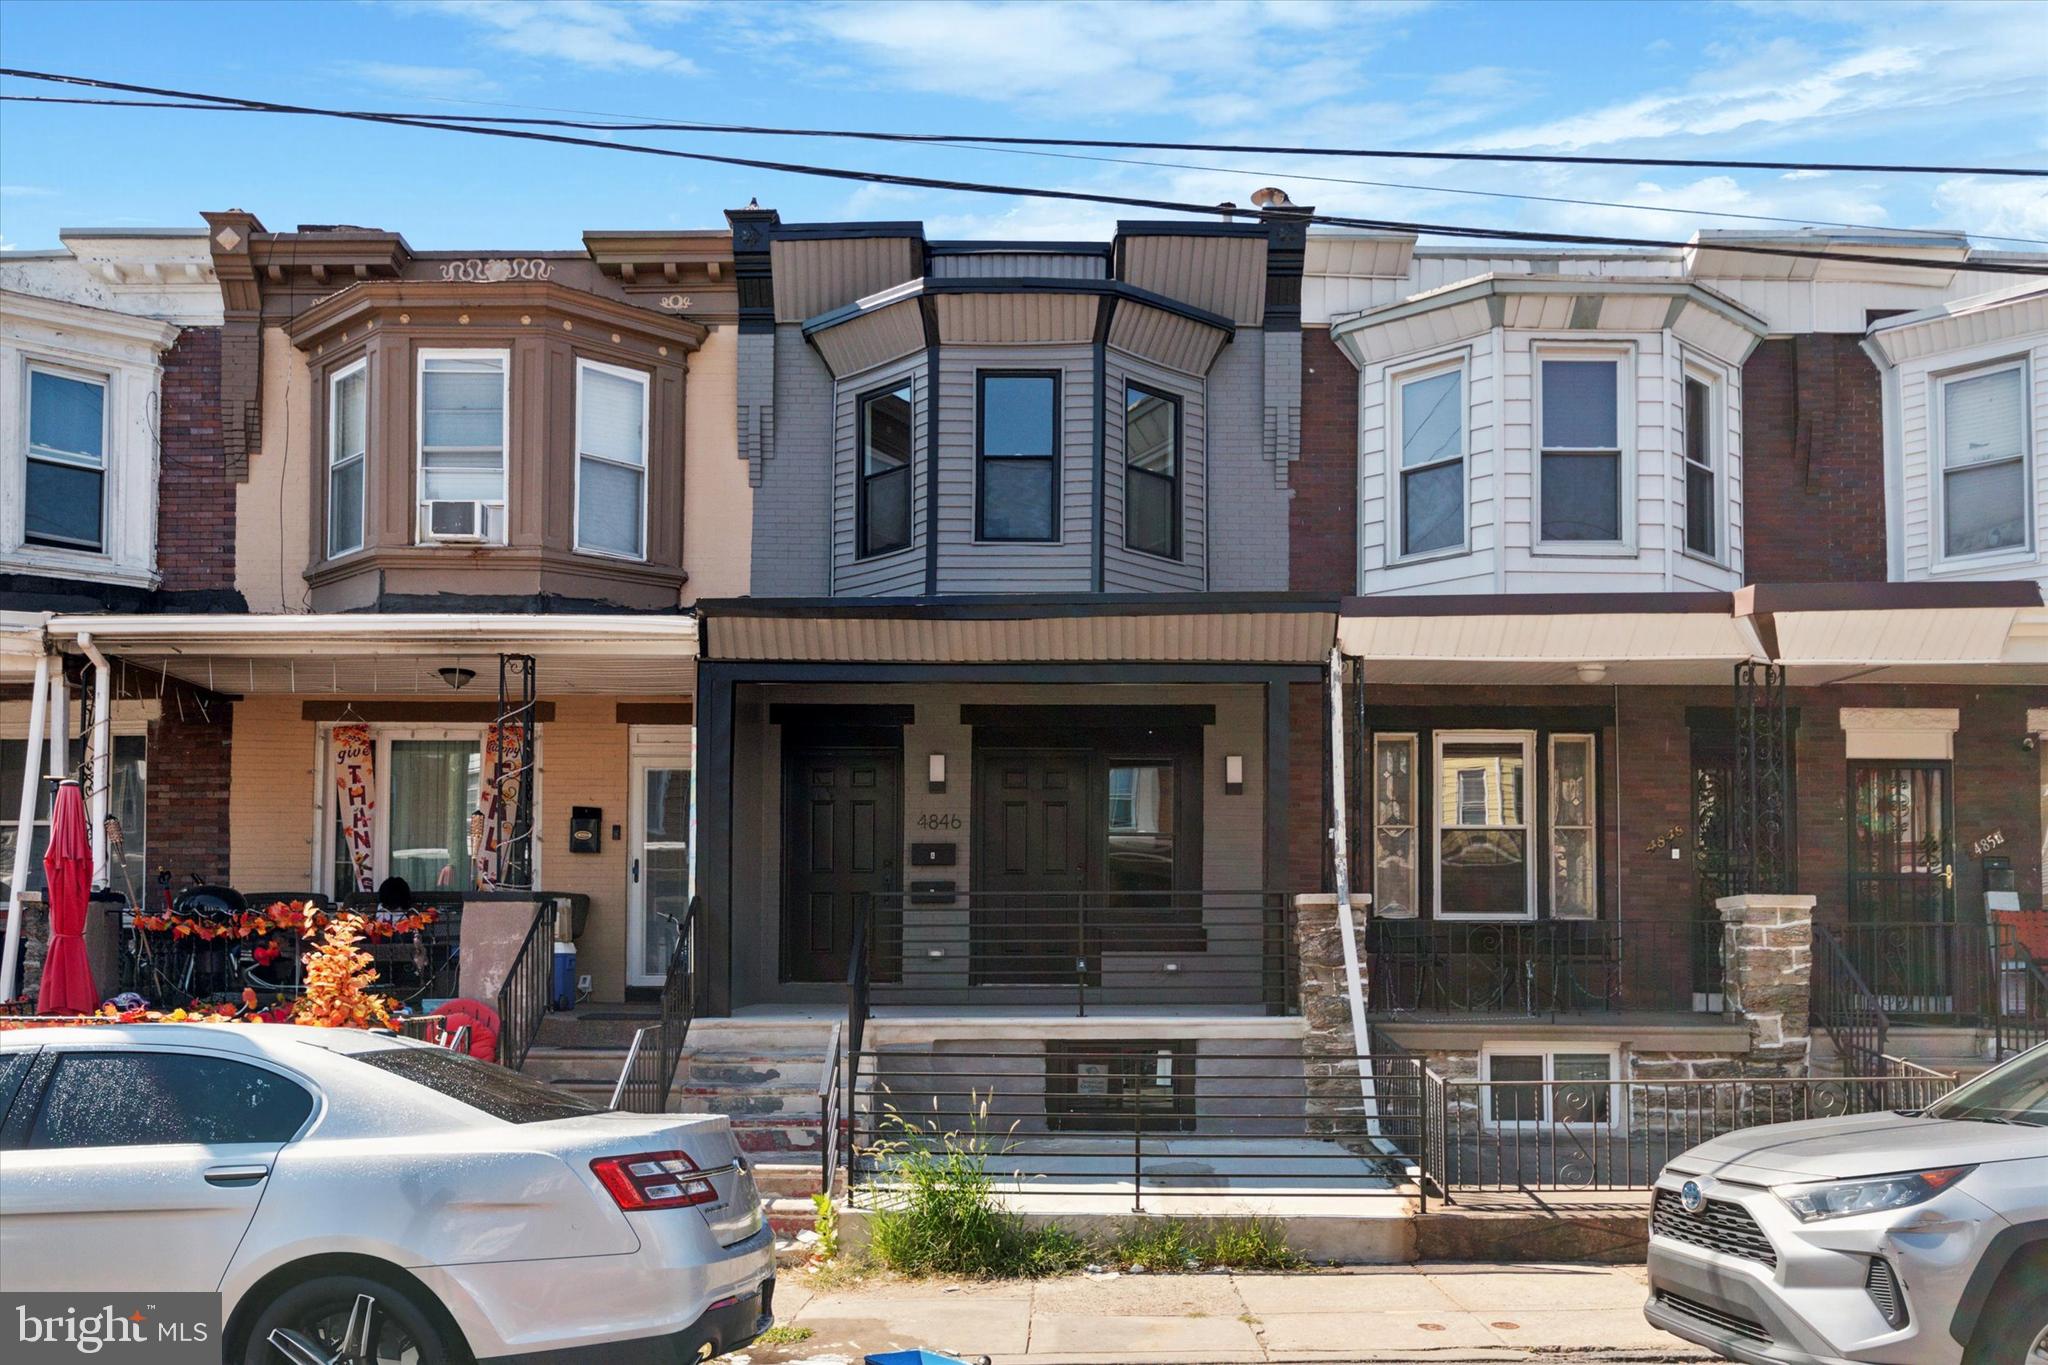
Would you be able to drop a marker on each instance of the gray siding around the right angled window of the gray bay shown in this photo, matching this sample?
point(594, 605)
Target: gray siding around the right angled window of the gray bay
point(1125, 570)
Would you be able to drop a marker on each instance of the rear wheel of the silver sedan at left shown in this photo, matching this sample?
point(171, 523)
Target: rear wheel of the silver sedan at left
point(349, 1321)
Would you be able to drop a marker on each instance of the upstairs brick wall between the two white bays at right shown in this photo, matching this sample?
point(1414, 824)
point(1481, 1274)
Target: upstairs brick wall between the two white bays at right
point(1814, 464)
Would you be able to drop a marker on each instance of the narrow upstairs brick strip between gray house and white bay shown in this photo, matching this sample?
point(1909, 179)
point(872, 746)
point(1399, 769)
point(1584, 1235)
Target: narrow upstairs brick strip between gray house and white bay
point(1324, 511)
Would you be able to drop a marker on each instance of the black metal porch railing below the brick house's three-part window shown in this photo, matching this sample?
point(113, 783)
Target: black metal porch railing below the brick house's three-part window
point(1541, 969)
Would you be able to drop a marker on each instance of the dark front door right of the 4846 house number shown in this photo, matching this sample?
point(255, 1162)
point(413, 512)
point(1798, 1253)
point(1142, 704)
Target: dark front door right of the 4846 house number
point(1033, 826)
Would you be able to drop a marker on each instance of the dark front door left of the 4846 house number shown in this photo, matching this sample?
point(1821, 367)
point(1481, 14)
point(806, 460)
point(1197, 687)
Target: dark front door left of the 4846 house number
point(841, 838)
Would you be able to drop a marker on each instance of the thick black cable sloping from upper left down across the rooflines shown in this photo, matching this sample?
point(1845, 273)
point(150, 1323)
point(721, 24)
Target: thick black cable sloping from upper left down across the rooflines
point(974, 187)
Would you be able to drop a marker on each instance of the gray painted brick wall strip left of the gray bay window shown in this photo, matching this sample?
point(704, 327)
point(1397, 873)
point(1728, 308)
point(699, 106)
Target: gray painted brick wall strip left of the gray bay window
point(794, 498)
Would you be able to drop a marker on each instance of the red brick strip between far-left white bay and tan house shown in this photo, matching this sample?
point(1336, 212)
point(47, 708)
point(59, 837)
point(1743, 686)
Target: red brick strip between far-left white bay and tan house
point(196, 494)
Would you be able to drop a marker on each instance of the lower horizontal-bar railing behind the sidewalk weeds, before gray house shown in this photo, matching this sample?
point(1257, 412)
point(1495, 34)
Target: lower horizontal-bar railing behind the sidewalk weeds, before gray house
point(1140, 1120)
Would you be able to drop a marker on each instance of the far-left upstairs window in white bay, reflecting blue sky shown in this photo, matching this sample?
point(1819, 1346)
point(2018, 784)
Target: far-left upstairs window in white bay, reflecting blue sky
point(65, 502)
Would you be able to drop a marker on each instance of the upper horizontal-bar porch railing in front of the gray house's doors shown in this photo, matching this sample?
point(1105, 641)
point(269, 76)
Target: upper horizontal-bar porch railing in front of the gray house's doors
point(1076, 953)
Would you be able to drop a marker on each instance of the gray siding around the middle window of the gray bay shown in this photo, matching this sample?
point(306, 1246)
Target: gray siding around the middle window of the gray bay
point(970, 568)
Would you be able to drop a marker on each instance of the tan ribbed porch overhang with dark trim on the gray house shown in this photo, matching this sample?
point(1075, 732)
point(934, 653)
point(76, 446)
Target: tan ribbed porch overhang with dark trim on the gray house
point(1060, 629)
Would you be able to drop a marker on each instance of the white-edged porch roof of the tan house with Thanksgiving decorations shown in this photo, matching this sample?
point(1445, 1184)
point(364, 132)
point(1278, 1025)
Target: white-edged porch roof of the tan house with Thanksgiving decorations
point(396, 654)
